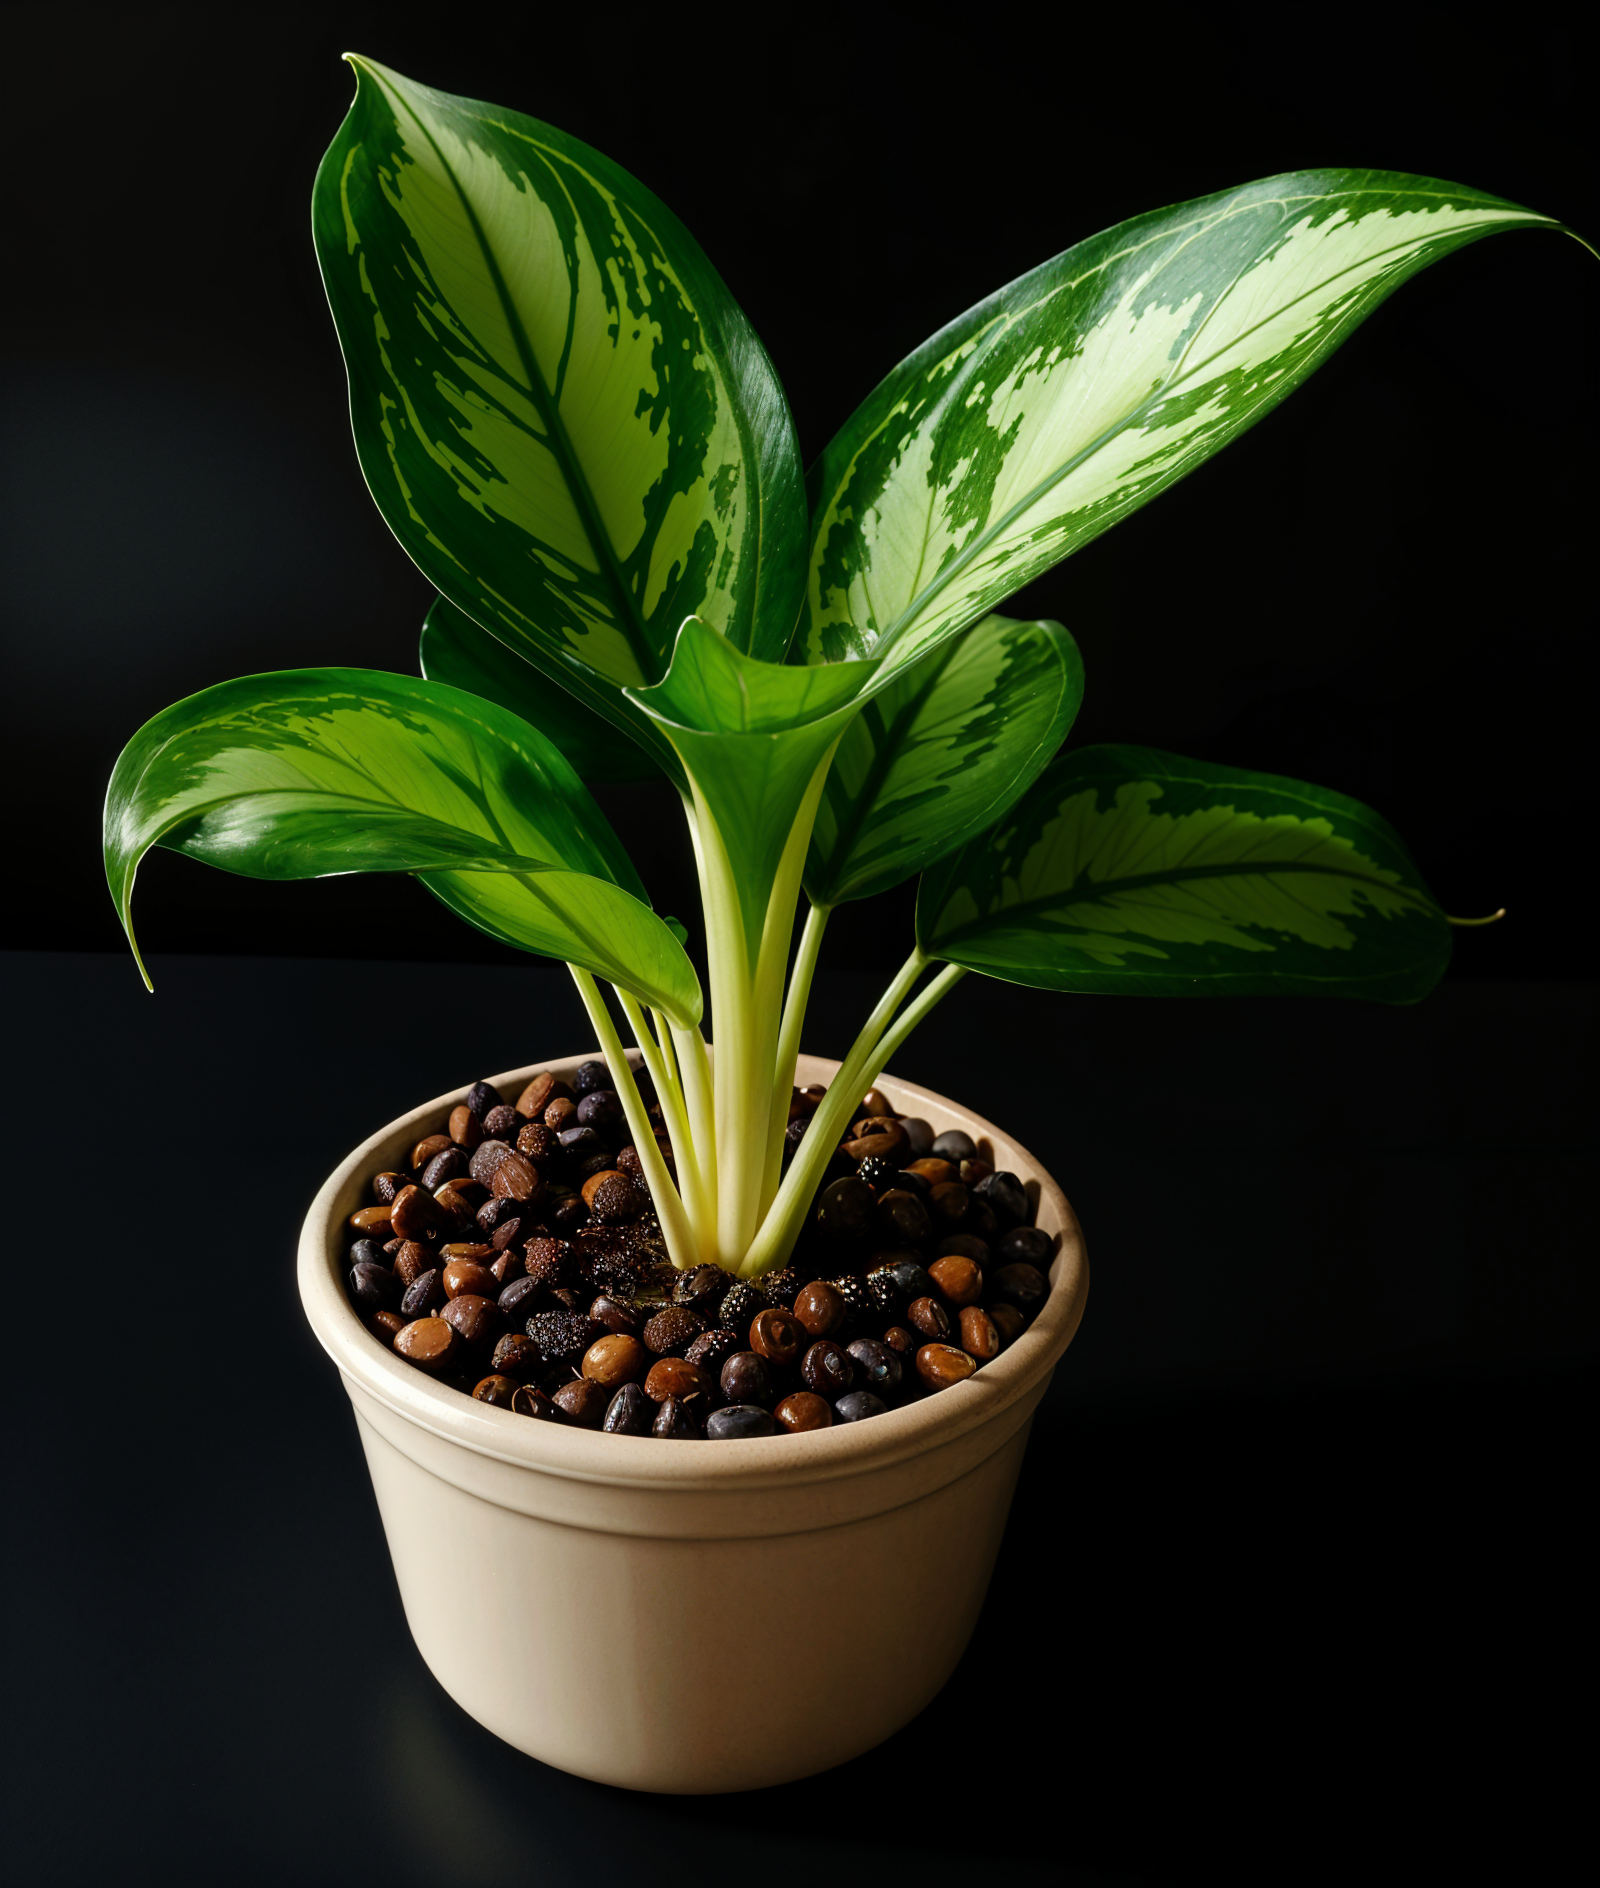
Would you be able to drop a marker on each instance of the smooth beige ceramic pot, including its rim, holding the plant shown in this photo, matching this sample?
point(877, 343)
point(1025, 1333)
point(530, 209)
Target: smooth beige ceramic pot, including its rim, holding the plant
point(604, 1602)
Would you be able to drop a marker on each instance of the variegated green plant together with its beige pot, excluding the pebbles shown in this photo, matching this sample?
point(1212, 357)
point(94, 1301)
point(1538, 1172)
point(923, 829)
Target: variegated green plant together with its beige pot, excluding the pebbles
point(575, 433)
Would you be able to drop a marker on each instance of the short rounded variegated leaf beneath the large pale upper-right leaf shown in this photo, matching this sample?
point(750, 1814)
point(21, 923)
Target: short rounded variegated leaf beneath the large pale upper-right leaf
point(942, 750)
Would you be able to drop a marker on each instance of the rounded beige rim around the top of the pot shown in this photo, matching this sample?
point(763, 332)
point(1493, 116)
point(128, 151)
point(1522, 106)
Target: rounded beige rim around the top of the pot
point(643, 1462)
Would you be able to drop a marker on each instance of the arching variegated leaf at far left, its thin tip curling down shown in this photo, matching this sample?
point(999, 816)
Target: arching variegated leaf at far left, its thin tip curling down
point(322, 771)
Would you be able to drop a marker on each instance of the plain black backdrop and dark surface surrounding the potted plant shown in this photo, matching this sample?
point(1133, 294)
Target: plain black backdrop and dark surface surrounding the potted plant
point(1293, 1583)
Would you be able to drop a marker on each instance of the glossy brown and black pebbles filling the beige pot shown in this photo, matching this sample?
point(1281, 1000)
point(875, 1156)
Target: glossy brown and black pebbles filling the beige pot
point(519, 1260)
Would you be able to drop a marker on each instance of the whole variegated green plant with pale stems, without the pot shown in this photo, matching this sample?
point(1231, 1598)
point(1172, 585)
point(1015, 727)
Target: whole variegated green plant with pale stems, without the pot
point(575, 433)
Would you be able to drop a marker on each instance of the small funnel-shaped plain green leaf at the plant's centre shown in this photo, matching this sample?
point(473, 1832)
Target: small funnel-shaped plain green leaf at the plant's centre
point(753, 737)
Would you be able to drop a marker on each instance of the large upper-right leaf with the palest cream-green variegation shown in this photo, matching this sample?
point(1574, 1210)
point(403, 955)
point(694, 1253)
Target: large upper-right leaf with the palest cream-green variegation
point(1080, 392)
